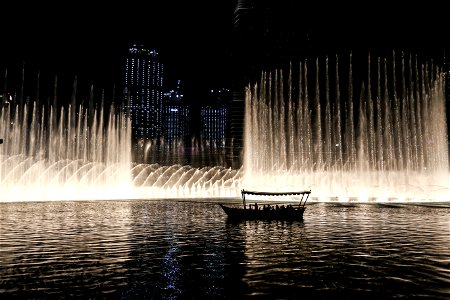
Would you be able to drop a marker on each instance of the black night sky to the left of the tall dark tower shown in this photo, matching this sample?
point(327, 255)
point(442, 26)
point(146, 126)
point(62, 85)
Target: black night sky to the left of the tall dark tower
point(90, 40)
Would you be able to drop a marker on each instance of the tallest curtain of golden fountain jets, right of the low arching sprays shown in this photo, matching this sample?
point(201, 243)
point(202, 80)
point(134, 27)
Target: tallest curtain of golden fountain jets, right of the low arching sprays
point(377, 135)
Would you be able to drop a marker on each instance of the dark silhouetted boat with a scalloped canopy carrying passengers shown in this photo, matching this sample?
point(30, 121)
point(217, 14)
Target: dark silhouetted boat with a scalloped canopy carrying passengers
point(268, 210)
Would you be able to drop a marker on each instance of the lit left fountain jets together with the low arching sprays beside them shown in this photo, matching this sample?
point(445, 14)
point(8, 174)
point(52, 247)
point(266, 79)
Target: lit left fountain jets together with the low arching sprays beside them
point(84, 153)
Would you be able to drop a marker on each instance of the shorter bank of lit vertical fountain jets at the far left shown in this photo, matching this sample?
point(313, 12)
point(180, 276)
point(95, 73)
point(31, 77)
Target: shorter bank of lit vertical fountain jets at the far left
point(51, 155)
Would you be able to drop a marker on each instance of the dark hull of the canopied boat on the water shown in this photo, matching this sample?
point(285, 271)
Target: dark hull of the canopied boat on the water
point(294, 213)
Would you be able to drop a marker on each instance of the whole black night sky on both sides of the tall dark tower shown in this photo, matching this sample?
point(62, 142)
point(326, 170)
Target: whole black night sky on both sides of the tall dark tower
point(193, 38)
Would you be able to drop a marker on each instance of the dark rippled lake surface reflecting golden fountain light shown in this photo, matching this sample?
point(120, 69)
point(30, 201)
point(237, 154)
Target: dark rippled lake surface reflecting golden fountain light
point(169, 249)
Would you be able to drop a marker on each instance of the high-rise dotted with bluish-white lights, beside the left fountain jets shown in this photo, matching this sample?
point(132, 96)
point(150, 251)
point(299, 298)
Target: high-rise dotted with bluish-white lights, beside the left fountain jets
point(144, 73)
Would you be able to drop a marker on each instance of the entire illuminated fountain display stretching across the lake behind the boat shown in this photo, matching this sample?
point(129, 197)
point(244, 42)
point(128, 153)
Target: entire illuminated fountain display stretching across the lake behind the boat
point(375, 134)
